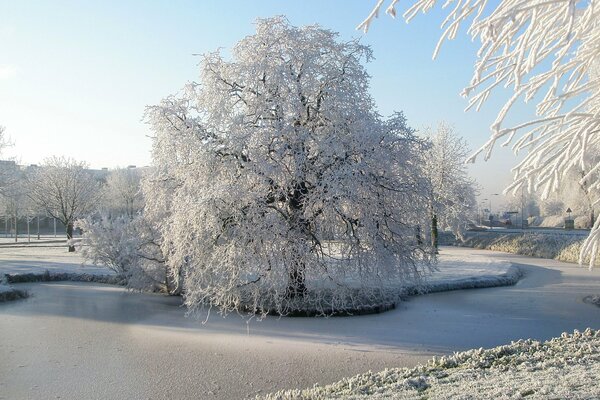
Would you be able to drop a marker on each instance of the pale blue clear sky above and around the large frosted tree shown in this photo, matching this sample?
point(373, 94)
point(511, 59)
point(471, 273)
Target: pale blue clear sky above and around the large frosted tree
point(75, 76)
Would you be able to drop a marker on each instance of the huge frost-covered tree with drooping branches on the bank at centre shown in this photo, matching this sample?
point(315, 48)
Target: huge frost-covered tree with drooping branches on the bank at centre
point(277, 182)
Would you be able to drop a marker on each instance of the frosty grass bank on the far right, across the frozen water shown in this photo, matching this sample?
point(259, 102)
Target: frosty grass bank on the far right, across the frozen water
point(560, 247)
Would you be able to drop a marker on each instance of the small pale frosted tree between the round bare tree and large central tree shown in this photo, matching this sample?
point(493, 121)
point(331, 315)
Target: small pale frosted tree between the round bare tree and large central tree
point(122, 192)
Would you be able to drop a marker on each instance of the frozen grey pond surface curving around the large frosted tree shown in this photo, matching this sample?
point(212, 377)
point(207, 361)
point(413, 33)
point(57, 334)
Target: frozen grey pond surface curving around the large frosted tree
point(77, 340)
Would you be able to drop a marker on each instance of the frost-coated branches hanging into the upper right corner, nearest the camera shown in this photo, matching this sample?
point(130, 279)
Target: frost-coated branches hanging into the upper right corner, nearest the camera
point(542, 50)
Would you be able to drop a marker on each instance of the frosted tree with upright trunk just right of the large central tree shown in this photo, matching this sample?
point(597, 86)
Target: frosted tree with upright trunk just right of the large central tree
point(450, 193)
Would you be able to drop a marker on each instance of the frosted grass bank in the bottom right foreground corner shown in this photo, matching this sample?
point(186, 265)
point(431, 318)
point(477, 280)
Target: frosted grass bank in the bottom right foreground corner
point(563, 367)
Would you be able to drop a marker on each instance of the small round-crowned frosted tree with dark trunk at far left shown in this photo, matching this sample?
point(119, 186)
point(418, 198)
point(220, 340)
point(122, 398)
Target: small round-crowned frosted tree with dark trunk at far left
point(65, 190)
